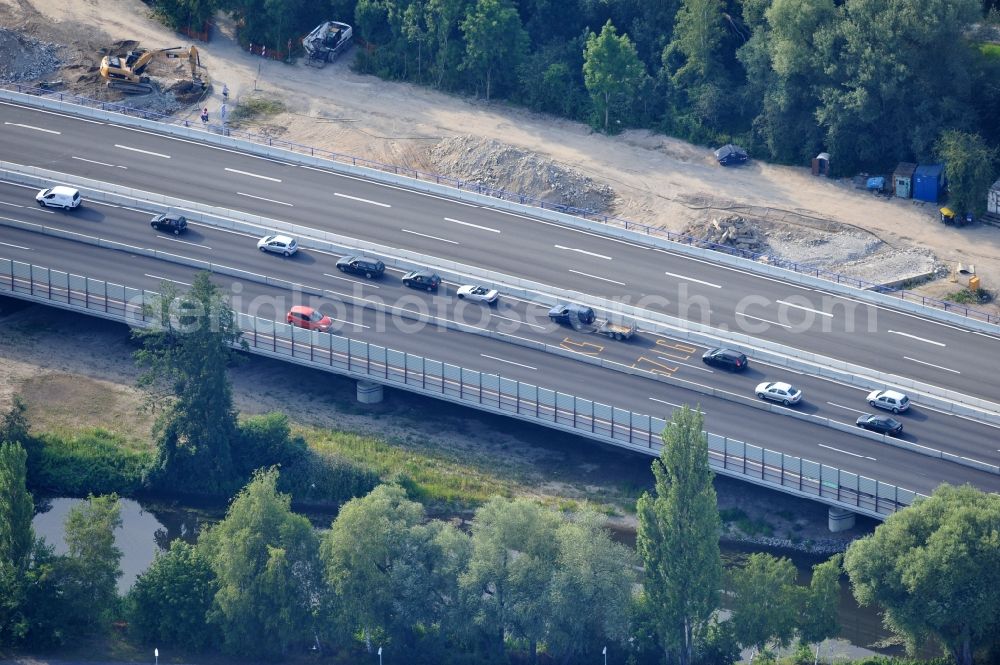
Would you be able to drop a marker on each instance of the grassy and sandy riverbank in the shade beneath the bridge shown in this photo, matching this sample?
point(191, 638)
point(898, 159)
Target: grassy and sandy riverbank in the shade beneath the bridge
point(76, 375)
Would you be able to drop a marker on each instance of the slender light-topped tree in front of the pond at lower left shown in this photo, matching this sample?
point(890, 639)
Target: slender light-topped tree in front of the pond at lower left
point(90, 540)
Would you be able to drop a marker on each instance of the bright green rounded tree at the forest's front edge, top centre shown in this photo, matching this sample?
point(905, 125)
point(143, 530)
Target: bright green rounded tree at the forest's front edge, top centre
point(495, 41)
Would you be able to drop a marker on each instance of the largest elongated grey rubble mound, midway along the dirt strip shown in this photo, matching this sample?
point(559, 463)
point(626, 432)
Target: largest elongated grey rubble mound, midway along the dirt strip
point(502, 166)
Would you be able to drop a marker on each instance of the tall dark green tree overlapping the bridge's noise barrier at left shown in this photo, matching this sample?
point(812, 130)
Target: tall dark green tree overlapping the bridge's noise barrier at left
point(187, 354)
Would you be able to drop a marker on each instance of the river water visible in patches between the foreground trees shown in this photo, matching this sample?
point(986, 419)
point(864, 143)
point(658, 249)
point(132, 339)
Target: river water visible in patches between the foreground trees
point(150, 526)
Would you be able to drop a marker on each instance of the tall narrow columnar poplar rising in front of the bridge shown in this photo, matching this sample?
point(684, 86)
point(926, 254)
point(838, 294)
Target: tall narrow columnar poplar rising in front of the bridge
point(678, 537)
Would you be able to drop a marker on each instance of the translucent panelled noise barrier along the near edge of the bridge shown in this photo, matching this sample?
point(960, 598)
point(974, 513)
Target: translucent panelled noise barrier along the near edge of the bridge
point(489, 392)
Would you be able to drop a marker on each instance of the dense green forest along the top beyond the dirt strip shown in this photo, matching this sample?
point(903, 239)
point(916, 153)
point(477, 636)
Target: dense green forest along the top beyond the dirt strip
point(872, 82)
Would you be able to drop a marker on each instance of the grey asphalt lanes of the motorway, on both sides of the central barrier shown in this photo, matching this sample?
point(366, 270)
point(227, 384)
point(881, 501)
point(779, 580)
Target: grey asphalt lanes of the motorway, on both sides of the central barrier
point(901, 343)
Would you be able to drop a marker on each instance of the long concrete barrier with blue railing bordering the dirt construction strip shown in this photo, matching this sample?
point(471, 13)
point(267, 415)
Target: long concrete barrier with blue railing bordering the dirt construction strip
point(470, 186)
